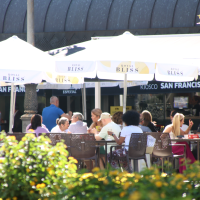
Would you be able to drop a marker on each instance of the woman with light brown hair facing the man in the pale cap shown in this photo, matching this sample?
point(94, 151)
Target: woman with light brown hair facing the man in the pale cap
point(95, 116)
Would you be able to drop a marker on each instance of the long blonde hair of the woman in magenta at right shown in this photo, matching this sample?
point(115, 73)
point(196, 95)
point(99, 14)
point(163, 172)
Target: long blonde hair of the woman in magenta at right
point(177, 122)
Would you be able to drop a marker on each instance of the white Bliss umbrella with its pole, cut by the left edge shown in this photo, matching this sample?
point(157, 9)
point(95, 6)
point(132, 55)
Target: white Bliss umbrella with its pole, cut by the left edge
point(21, 63)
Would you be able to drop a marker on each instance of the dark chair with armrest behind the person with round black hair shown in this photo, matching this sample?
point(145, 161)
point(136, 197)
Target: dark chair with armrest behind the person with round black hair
point(137, 149)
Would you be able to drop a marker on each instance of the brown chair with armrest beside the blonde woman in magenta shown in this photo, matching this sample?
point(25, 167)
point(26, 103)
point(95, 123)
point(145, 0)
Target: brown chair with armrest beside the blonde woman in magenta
point(163, 147)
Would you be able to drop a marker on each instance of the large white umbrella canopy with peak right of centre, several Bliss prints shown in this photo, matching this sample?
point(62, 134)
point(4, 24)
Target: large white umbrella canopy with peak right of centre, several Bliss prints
point(138, 57)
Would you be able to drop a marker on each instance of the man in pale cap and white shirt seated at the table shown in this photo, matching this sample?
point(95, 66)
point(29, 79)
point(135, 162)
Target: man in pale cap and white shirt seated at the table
point(108, 125)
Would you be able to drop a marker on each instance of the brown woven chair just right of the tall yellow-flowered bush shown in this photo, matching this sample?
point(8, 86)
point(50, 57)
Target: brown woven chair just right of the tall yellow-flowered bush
point(83, 147)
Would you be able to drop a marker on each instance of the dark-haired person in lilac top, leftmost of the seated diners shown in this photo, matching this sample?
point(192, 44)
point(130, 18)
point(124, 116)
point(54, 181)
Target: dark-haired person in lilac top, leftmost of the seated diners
point(36, 125)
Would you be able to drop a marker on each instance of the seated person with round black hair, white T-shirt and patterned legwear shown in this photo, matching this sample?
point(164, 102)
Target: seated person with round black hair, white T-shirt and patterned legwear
point(131, 119)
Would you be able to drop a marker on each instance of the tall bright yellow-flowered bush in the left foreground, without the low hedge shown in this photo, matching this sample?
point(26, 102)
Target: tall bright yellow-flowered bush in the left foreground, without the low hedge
point(32, 168)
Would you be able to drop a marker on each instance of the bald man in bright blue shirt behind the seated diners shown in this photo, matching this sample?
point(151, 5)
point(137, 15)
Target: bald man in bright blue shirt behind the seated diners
point(52, 112)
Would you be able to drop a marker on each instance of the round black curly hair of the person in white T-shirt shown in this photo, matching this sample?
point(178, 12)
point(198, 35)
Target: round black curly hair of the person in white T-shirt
point(131, 117)
